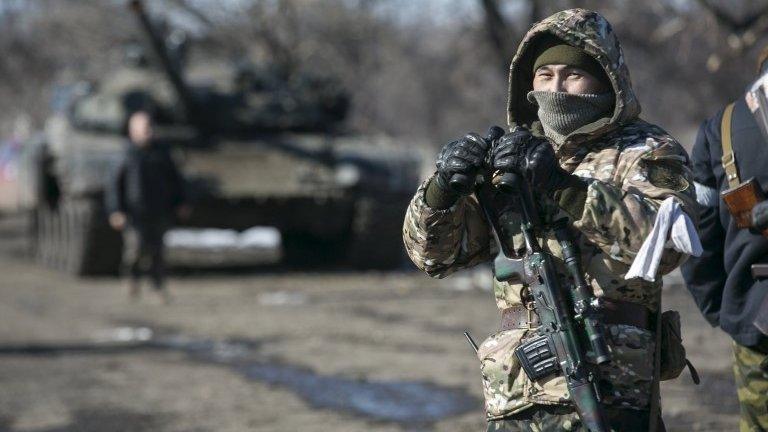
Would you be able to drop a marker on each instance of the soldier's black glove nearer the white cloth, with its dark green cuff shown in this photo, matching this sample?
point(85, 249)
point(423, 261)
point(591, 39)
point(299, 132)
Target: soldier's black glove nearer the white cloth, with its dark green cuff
point(534, 158)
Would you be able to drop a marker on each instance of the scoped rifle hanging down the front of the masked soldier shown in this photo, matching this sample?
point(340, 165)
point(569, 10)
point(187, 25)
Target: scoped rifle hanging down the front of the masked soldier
point(570, 321)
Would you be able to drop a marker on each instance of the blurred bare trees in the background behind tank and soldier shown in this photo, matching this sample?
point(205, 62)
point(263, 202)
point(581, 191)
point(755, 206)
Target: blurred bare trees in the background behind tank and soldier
point(417, 78)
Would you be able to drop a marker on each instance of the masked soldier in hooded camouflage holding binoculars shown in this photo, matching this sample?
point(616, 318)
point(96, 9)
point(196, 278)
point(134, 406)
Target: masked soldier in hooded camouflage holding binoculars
point(608, 171)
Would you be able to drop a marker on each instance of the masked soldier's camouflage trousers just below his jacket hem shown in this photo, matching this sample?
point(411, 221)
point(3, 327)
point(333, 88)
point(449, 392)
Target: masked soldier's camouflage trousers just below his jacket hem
point(556, 419)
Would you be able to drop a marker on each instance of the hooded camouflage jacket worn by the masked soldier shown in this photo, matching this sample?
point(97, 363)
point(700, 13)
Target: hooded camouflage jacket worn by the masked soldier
point(631, 166)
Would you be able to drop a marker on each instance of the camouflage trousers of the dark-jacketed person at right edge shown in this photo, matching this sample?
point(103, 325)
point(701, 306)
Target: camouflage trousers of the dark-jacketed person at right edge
point(751, 369)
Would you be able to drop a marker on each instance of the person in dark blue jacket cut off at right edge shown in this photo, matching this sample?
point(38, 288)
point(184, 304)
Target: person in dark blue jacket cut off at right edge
point(721, 281)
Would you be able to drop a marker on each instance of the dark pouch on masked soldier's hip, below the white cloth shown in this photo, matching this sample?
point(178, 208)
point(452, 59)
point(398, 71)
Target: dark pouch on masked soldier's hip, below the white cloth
point(672, 351)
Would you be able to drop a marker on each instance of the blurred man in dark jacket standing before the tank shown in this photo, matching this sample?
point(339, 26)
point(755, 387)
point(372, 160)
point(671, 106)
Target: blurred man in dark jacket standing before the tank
point(145, 195)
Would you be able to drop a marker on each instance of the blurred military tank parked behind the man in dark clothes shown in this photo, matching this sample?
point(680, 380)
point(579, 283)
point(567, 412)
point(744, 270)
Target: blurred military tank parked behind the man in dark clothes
point(264, 148)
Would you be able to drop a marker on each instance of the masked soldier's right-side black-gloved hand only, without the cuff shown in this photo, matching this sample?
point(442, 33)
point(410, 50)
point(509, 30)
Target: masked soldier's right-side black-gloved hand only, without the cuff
point(533, 157)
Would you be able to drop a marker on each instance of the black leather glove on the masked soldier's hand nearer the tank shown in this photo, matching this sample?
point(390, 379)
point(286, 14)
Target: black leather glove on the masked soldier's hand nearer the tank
point(458, 160)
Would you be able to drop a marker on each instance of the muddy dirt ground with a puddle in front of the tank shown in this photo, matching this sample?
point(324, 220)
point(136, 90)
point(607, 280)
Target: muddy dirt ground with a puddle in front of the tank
point(273, 351)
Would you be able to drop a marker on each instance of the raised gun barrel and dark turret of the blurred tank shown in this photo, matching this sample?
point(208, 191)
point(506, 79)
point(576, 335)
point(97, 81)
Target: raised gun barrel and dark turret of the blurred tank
point(268, 98)
